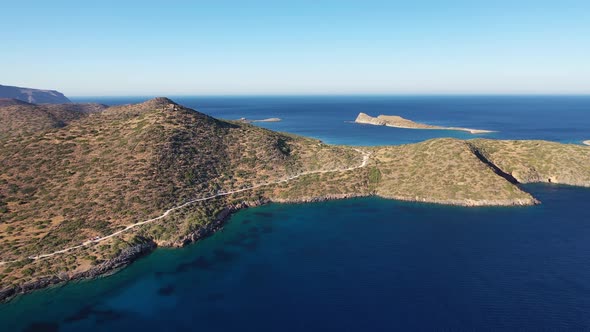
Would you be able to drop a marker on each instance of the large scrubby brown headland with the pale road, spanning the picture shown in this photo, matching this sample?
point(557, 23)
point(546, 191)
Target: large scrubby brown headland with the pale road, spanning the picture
point(87, 189)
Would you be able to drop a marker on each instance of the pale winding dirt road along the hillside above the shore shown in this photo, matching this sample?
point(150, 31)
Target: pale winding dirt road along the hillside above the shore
point(365, 154)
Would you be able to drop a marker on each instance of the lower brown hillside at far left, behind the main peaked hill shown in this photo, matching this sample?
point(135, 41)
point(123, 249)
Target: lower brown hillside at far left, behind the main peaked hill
point(20, 118)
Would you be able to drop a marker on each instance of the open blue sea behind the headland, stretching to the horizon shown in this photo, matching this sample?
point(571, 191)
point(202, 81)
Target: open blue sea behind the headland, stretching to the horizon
point(556, 118)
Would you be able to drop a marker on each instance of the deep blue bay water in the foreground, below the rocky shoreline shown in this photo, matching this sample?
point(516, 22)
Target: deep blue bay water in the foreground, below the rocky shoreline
point(359, 264)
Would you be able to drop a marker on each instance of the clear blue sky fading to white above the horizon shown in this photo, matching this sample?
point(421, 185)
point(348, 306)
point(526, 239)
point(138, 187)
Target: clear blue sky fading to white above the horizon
point(297, 47)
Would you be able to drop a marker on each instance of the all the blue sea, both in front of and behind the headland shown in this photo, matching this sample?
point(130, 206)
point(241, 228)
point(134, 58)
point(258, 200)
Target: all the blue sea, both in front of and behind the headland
point(363, 264)
